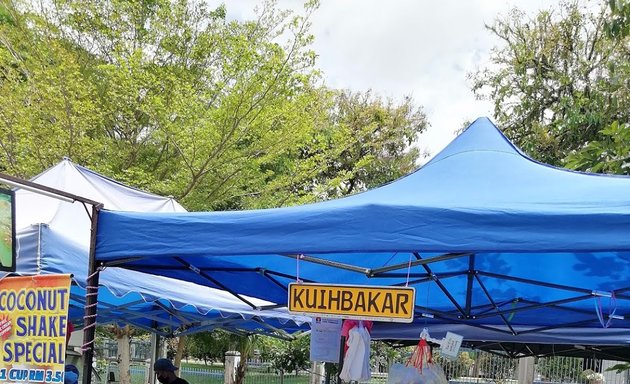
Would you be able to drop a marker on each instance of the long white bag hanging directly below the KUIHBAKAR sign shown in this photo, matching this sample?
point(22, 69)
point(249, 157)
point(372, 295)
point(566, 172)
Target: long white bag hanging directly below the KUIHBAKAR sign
point(356, 364)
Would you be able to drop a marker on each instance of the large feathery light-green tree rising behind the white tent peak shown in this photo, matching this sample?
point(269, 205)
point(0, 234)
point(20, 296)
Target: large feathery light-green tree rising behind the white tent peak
point(184, 100)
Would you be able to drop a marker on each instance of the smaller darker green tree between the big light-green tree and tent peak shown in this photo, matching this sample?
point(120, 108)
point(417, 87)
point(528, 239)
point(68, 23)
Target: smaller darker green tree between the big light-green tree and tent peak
point(379, 137)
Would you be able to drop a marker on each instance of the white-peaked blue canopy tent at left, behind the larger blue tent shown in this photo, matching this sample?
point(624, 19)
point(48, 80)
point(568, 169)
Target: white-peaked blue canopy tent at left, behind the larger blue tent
point(53, 237)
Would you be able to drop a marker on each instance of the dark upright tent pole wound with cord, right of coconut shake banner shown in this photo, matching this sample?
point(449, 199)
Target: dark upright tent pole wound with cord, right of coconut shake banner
point(91, 299)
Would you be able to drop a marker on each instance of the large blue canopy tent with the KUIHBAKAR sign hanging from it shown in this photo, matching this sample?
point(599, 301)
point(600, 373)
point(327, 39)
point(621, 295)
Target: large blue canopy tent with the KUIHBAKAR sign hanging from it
point(491, 239)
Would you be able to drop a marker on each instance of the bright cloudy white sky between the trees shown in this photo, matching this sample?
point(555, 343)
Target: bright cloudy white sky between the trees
point(418, 48)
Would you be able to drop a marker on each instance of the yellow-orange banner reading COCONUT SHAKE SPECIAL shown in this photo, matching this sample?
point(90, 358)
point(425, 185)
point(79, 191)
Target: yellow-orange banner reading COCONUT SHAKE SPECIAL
point(33, 326)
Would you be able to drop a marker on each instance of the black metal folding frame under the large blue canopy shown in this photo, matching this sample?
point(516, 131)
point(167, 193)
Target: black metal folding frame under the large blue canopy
point(463, 312)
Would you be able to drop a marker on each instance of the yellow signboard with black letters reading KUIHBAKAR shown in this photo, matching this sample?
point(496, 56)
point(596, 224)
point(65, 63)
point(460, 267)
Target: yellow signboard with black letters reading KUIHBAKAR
point(353, 301)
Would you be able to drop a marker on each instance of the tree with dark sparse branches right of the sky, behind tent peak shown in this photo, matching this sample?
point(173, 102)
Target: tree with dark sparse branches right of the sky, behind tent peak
point(556, 81)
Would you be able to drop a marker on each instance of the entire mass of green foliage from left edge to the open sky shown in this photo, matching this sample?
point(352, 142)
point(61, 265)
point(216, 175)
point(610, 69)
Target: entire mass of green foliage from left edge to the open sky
point(172, 97)
